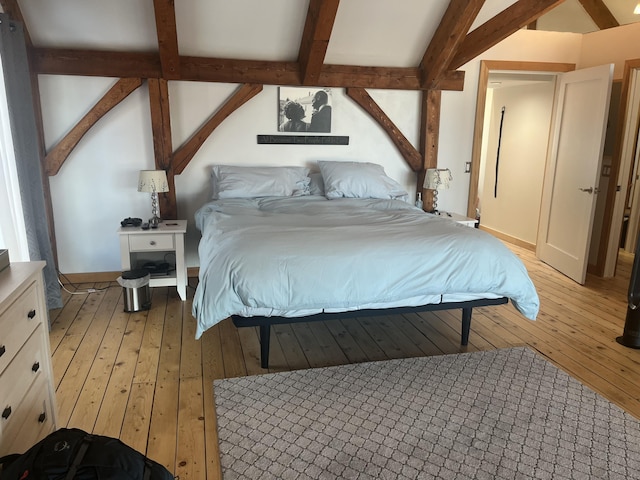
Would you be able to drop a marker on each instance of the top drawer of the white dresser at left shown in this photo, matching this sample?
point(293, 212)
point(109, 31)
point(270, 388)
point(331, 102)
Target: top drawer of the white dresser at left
point(17, 323)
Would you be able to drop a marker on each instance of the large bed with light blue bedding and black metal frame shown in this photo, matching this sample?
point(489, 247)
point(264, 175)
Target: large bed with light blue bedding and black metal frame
point(323, 247)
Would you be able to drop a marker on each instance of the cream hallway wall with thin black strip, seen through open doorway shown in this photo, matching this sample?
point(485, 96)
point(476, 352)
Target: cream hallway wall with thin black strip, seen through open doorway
point(515, 210)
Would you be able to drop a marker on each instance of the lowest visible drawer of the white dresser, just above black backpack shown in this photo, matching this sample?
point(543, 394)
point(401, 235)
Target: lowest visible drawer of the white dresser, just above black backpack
point(33, 420)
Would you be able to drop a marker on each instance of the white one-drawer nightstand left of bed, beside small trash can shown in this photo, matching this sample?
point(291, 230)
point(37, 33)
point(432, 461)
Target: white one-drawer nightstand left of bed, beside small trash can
point(157, 246)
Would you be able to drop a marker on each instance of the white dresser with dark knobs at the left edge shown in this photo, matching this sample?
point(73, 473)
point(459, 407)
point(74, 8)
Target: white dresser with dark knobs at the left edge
point(27, 395)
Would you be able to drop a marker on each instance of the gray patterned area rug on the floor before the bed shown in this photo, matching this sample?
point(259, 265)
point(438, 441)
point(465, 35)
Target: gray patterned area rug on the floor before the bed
point(484, 415)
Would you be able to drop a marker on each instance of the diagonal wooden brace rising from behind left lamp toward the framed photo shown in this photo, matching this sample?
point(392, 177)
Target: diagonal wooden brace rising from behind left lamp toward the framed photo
point(185, 153)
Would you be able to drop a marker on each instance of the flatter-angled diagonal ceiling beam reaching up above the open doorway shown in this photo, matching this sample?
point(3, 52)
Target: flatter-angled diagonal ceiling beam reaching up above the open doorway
point(510, 20)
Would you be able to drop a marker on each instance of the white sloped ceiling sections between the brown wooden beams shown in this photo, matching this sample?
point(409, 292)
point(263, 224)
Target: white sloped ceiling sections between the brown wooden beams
point(366, 32)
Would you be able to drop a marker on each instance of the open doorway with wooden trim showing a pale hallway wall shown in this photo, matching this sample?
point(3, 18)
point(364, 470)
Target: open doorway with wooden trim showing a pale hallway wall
point(500, 83)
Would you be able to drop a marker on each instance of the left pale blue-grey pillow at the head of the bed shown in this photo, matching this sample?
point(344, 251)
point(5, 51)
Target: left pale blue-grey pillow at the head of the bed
point(230, 181)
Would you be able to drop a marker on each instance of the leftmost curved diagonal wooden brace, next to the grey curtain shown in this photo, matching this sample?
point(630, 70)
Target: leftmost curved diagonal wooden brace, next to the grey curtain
point(58, 154)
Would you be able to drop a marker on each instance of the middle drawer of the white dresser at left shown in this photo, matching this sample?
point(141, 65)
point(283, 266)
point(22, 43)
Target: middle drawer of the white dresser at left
point(23, 370)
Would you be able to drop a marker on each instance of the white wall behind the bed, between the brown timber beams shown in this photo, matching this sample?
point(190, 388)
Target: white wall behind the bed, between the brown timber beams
point(96, 186)
